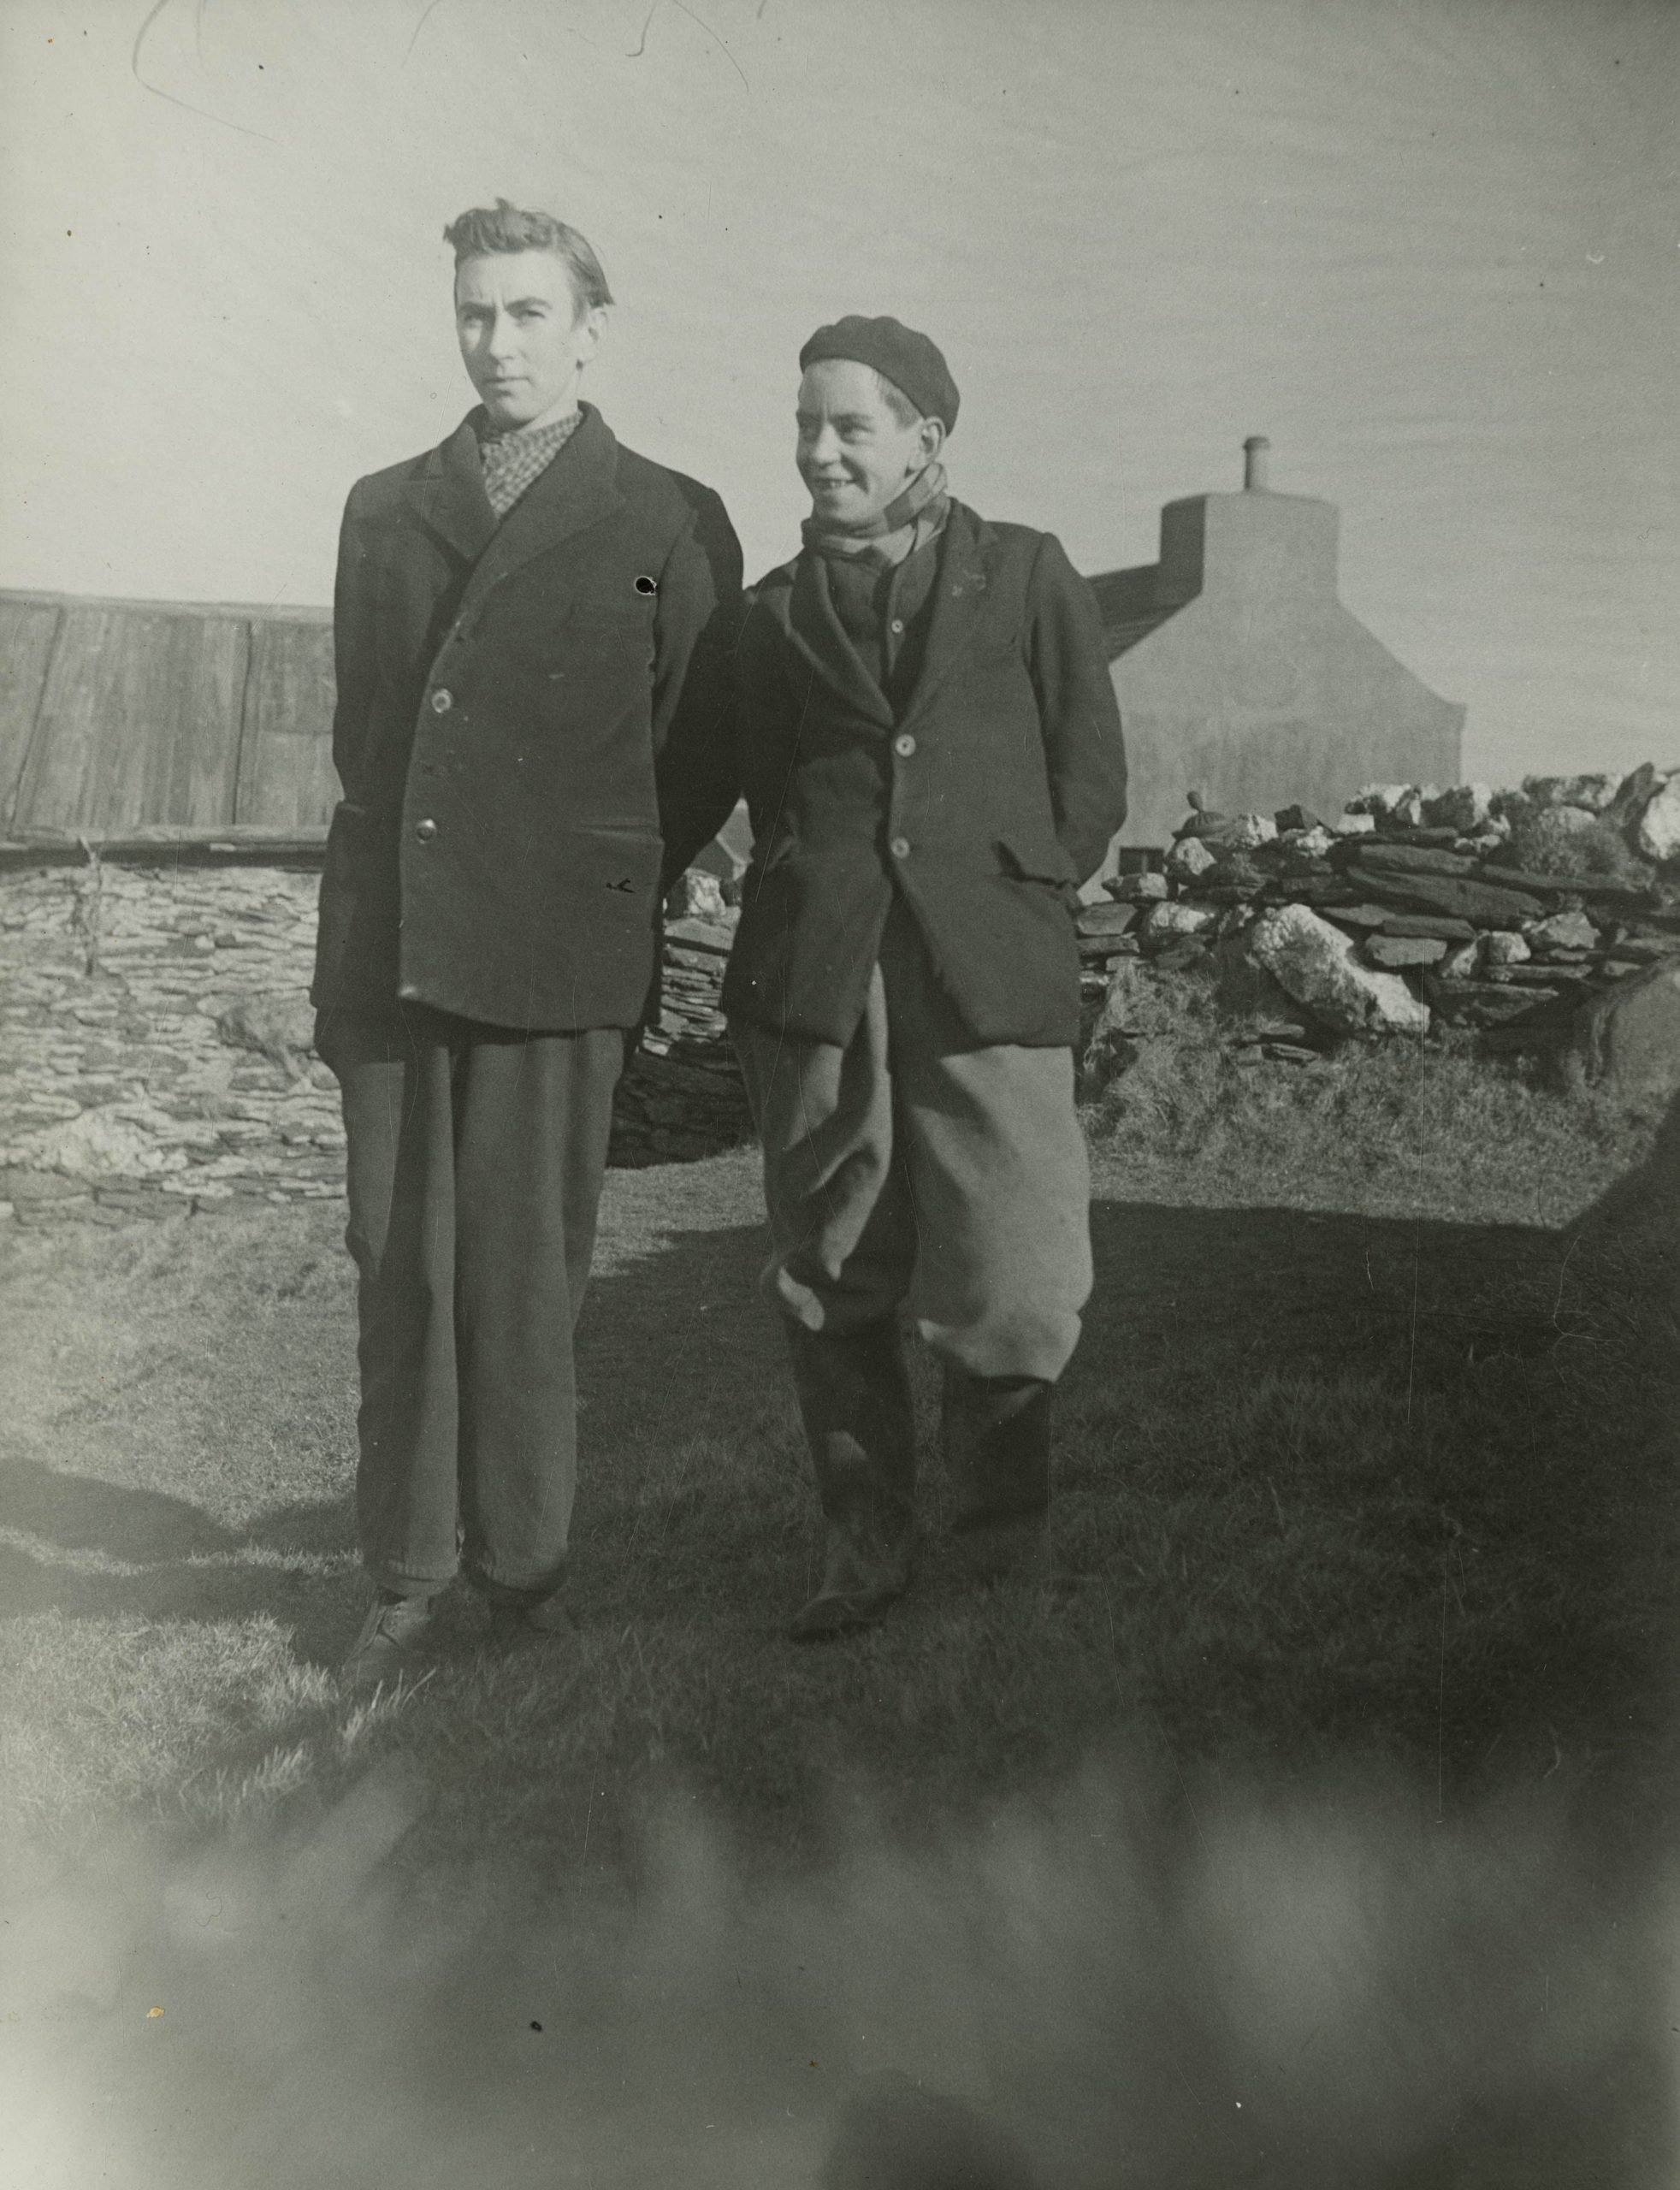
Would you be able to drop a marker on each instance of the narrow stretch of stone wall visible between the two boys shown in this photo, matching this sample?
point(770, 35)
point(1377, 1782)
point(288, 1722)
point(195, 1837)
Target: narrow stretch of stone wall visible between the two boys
point(682, 1094)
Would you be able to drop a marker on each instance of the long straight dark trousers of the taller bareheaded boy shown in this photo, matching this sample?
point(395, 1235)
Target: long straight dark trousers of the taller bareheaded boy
point(476, 1160)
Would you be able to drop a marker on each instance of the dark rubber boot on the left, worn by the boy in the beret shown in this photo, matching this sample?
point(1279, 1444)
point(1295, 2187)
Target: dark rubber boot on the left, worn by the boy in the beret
point(862, 1433)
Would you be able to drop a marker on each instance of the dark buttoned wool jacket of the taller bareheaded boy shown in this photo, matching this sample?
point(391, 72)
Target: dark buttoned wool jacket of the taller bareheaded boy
point(516, 704)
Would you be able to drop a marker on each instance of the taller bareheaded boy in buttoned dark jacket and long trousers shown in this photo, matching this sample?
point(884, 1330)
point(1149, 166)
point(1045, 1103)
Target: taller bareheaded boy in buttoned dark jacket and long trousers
point(531, 636)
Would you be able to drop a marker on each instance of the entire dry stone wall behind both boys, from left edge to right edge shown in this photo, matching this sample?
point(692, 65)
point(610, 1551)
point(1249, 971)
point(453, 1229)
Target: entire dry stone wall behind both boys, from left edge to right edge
point(157, 1033)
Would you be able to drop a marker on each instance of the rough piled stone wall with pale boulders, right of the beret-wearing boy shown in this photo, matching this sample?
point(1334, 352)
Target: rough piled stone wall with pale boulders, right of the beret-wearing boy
point(1416, 908)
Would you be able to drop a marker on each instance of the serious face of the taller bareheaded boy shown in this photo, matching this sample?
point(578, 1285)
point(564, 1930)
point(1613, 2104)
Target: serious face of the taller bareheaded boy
point(522, 338)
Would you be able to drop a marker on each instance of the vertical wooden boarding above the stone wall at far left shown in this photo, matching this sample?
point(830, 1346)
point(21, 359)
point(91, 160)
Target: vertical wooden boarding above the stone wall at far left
point(122, 715)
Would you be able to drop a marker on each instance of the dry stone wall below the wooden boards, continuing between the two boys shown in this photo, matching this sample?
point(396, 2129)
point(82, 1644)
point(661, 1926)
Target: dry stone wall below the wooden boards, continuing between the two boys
point(157, 1044)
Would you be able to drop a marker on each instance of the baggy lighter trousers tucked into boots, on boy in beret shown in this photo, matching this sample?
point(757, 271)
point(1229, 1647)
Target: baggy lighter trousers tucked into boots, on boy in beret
point(914, 1166)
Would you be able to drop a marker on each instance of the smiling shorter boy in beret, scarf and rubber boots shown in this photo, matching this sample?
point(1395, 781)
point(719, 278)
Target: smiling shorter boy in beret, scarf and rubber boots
point(932, 759)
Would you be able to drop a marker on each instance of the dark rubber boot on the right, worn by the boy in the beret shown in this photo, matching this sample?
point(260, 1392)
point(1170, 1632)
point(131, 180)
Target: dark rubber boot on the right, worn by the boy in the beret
point(996, 1436)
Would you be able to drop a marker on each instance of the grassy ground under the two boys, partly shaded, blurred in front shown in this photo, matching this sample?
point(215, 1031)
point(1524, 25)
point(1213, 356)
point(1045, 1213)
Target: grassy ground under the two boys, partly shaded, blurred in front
point(1309, 1830)
